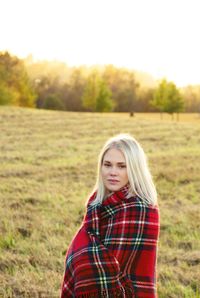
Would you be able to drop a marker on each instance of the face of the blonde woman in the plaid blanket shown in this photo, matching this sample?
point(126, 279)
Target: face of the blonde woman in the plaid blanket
point(113, 170)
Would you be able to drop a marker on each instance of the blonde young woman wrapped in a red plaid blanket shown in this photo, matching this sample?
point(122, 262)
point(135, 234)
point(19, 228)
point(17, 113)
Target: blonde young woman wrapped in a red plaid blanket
point(113, 254)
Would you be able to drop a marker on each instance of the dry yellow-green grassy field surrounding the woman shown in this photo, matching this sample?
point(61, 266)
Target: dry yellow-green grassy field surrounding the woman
point(47, 168)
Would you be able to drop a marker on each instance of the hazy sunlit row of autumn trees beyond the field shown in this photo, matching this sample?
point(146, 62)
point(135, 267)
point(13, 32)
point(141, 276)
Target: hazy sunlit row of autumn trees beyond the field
point(54, 85)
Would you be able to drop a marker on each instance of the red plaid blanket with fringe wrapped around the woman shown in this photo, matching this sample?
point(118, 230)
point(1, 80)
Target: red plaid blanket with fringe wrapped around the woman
point(113, 254)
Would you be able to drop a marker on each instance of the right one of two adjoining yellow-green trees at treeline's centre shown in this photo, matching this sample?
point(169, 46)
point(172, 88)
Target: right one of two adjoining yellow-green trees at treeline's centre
point(103, 101)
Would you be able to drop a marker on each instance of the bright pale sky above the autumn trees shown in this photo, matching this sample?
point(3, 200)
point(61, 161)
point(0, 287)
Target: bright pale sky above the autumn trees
point(160, 37)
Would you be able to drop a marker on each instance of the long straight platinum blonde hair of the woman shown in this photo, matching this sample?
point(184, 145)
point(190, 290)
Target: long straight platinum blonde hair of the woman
point(139, 176)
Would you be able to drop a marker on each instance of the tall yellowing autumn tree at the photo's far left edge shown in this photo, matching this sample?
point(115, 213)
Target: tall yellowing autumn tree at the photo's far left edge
point(15, 86)
